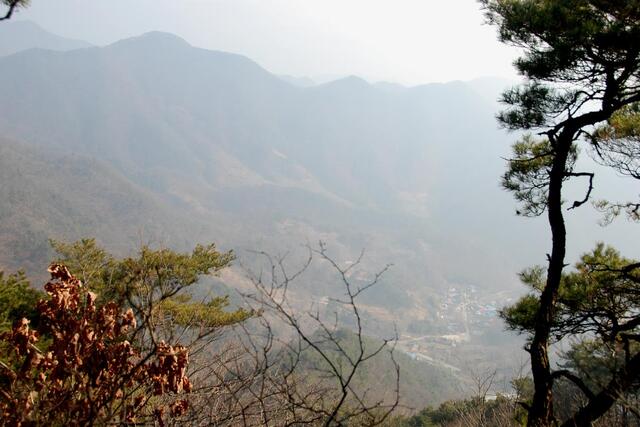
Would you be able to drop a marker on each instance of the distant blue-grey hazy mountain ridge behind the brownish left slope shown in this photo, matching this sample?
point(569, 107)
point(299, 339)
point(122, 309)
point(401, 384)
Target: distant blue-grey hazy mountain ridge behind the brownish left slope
point(214, 133)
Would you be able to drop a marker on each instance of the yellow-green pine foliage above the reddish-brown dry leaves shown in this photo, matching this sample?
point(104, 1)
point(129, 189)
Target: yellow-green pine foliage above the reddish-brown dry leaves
point(157, 281)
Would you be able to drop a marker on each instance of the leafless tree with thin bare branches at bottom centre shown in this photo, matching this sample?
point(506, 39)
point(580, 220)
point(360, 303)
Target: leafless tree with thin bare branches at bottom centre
point(294, 367)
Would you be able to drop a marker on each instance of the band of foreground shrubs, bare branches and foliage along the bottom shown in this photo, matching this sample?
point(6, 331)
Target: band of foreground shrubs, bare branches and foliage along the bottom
point(132, 343)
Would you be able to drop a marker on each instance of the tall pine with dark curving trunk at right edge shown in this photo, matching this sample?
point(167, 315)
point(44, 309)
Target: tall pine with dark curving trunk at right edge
point(581, 65)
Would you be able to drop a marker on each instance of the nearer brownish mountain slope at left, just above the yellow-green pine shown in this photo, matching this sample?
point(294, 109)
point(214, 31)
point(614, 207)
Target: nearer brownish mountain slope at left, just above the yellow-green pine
point(48, 195)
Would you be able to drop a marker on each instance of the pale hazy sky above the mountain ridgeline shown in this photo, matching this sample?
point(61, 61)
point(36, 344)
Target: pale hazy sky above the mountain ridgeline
point(406, 41)
